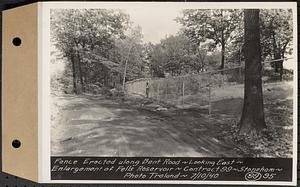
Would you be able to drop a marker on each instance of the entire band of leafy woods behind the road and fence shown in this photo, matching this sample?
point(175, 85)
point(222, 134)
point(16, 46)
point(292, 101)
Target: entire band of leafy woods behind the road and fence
point(98, 44)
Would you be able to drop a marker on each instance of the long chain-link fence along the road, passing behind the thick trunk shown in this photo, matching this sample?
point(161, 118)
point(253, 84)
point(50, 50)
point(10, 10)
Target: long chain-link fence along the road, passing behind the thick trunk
point(200, 90)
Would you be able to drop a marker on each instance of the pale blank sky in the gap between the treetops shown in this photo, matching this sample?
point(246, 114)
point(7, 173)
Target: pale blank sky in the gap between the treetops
point(156, 21)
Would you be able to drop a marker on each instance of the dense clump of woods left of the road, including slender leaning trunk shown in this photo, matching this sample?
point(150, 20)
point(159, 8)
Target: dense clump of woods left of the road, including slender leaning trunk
point(96, 45)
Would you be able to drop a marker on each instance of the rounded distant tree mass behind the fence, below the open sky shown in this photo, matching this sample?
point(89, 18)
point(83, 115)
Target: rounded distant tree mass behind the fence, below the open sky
point(176, 55)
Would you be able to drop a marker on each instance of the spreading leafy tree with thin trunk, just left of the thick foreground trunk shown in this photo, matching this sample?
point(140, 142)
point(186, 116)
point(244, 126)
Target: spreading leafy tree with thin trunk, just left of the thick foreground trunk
point(217, 25)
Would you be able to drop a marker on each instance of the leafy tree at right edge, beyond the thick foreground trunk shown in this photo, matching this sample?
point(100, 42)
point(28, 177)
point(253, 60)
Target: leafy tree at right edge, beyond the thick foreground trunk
point(276, 35)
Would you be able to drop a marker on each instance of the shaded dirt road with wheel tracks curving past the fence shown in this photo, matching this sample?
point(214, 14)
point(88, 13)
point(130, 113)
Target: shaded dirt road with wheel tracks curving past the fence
point(95, 126)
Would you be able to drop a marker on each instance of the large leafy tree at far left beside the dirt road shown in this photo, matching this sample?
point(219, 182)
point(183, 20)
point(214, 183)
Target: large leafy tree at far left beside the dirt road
point(85, 37)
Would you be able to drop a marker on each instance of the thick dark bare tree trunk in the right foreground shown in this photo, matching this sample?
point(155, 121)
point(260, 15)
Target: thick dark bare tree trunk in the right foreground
point(252, 119)
